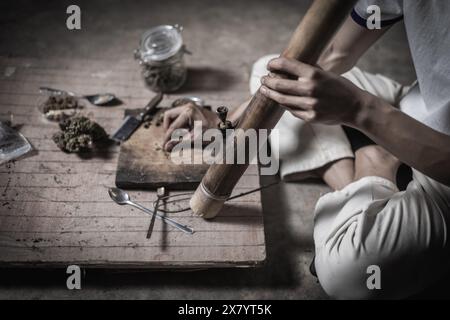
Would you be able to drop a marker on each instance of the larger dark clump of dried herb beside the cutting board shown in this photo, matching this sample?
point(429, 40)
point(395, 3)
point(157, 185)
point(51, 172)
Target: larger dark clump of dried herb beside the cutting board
point(79, 134)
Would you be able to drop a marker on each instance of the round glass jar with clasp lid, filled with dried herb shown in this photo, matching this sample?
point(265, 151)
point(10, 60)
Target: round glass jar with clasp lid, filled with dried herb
point(161, 55)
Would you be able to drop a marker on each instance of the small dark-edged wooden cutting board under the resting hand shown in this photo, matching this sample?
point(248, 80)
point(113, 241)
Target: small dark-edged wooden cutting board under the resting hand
point(143, 164)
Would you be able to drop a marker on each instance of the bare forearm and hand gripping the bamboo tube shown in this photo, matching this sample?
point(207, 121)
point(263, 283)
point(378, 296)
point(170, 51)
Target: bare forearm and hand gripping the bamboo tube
point(322, 96)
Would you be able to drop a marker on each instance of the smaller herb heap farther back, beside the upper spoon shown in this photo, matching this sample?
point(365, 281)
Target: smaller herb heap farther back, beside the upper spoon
point(60, 107)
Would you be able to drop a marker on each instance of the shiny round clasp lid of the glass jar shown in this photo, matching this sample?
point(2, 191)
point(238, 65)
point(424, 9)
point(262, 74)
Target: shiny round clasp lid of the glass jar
point(160, 43)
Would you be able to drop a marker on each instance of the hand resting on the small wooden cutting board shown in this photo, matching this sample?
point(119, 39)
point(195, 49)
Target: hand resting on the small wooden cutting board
point(183, 117)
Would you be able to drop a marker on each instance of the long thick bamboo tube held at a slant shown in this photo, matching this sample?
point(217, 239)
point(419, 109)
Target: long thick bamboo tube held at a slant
point(312, 35)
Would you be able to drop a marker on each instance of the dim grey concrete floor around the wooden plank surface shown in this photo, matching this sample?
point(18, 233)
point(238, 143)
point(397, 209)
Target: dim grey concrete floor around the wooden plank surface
point(243, 30)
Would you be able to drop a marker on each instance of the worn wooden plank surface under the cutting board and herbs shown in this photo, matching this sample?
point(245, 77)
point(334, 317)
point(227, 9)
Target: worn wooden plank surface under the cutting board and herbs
point(55, 209)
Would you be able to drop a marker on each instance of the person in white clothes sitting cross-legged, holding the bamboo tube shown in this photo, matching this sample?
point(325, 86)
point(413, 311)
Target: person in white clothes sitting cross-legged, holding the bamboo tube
point(367, 221)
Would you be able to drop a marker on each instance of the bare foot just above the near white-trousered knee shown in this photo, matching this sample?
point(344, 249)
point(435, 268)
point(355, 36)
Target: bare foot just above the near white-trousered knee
point(374, 160)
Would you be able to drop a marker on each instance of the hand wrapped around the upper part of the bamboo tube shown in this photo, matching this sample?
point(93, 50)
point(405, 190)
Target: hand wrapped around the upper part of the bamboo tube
point(317, 95)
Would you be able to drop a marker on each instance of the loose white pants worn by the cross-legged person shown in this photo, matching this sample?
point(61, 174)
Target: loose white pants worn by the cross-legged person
point(368, 234)
